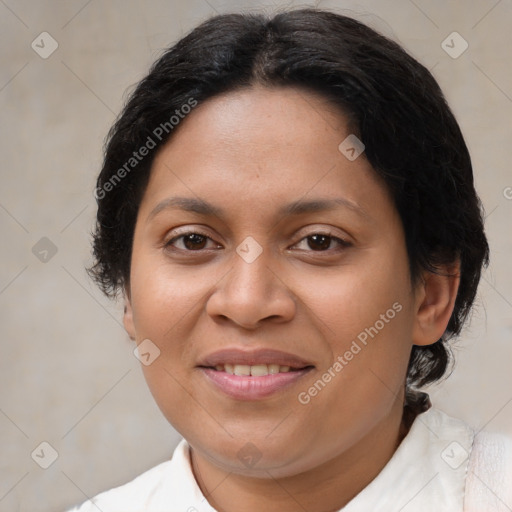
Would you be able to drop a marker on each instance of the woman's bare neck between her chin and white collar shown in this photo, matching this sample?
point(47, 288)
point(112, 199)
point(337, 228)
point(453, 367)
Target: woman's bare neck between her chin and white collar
point(325, 488)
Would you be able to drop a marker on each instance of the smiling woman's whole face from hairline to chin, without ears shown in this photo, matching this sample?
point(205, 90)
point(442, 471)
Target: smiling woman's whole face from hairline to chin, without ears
point(259, 245)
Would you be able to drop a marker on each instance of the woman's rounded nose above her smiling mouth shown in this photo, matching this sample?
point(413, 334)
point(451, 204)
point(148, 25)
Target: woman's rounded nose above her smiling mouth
point(251, 294)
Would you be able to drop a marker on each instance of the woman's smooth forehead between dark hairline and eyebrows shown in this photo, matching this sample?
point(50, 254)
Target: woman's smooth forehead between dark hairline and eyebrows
point(259, 149)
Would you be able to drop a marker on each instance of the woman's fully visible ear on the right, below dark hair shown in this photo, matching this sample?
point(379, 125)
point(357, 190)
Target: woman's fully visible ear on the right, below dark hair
point(436, 294)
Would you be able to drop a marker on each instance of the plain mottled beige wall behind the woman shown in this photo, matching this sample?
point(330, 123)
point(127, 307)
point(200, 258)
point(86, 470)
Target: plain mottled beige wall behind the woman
point(67, 372)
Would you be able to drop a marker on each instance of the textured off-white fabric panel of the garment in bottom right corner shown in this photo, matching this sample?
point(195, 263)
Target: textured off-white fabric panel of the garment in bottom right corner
point(489, 476)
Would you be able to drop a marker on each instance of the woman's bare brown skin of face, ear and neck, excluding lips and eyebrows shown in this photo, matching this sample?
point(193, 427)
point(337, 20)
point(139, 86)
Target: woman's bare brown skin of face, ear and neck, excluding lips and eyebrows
point(249, 153)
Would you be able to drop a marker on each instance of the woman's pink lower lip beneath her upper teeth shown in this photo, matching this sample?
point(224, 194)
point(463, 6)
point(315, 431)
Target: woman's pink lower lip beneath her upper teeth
point(242, 387)
